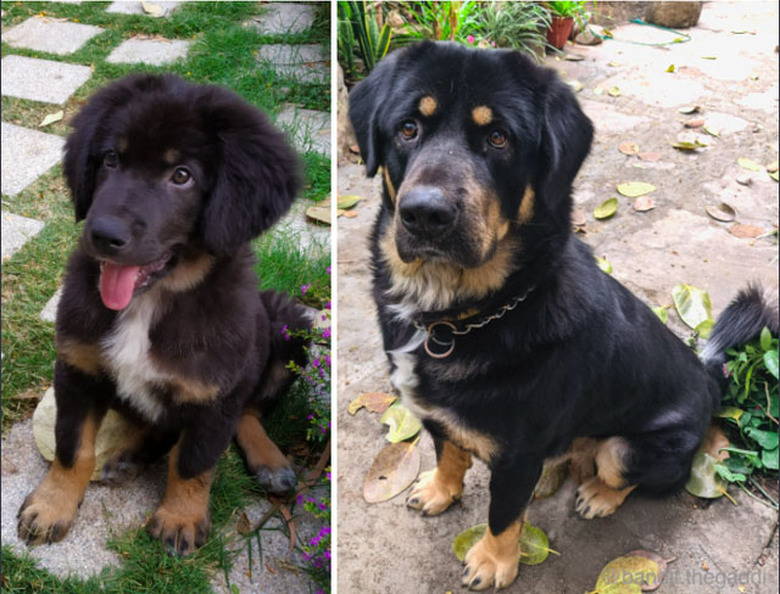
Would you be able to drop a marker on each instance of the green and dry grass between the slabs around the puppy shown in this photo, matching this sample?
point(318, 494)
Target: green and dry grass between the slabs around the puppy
point(223, 52)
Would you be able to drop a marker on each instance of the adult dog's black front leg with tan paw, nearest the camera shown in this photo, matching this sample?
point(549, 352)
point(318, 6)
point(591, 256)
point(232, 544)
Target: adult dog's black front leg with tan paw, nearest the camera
point(494, 559)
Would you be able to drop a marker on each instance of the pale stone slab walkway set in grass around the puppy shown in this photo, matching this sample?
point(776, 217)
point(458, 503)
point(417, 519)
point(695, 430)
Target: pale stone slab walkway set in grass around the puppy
point(26, 156)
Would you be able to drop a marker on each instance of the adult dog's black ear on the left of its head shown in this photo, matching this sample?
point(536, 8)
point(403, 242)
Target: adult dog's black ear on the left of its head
point(364, 103)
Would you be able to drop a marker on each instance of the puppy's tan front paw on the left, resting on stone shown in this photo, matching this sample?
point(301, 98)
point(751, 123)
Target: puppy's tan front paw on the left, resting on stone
point(46, 516)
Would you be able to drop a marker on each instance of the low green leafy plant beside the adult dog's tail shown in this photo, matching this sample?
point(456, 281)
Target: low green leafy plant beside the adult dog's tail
point(750, 409)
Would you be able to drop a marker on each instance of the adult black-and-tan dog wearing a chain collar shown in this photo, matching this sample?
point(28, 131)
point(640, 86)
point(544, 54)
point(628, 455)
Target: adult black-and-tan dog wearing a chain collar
point(504, 336)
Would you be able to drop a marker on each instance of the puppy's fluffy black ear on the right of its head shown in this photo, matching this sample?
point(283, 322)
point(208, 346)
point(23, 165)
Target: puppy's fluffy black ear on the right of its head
point(257, 174)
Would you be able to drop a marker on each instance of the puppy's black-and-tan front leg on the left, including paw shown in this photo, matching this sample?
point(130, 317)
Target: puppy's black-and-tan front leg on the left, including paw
point(48, 512)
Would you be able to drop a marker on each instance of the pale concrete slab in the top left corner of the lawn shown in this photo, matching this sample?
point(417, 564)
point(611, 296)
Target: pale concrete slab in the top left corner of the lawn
point(47, 35)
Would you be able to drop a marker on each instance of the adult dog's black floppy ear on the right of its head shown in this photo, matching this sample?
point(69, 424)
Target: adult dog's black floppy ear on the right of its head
point(566, 138)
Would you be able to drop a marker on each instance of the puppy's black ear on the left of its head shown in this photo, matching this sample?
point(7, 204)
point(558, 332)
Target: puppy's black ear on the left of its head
point(82, 158)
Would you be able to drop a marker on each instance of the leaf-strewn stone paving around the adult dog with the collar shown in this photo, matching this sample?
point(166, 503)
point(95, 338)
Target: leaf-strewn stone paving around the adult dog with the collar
point(729, 69)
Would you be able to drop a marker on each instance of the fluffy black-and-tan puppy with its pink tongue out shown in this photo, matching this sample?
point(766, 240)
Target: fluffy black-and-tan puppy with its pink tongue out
point(160, 314)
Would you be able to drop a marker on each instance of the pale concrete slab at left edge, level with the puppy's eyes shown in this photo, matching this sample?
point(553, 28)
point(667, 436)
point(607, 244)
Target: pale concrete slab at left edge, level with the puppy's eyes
point(26, 155)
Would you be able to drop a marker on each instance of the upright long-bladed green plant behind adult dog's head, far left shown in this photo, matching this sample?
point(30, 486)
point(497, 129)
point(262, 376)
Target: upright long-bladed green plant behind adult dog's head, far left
point(359, 30)
